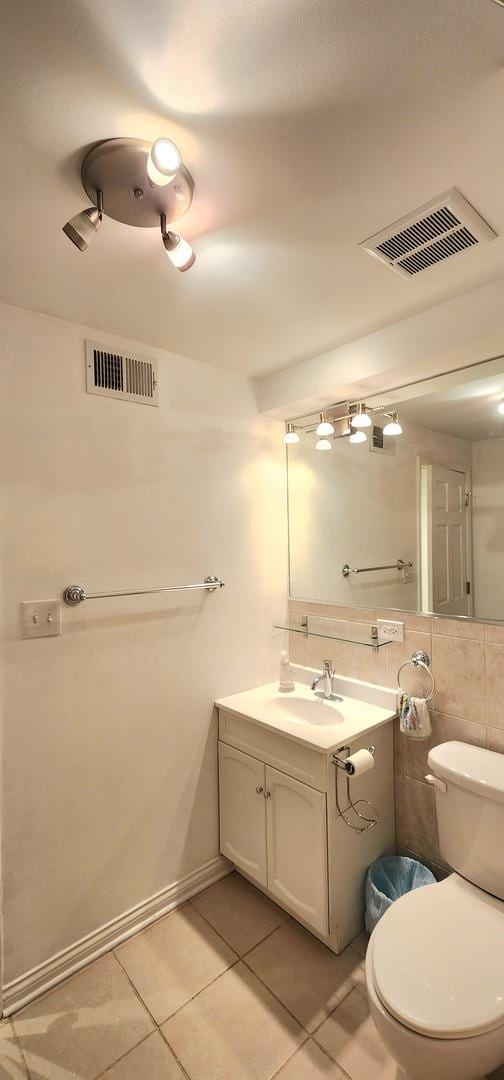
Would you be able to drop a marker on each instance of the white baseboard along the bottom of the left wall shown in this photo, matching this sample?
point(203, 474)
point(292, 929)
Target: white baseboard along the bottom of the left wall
point(42, 979)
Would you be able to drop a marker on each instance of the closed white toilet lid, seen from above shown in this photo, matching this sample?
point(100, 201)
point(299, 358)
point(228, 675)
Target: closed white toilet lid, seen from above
point(439, 961)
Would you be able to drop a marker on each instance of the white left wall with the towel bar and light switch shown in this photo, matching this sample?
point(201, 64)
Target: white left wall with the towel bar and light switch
point(110, 737)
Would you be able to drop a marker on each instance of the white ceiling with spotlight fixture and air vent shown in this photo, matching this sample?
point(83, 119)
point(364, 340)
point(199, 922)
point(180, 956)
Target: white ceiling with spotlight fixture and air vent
point(308, 127)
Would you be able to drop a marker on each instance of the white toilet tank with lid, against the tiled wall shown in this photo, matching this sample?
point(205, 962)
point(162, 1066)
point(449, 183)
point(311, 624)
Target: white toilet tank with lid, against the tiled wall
point(470, 804)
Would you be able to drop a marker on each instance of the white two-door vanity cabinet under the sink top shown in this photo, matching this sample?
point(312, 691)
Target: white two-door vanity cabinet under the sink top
point(281, 829)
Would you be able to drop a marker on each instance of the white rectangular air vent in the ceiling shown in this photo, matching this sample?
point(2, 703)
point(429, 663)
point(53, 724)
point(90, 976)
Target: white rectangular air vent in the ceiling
point(430, 235)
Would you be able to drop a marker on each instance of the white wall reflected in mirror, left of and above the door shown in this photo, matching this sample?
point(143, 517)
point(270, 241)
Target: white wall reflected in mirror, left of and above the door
point(353, 506)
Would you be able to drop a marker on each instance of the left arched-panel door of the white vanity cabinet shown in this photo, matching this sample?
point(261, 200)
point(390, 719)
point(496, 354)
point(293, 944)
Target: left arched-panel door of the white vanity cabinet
point(243, 812)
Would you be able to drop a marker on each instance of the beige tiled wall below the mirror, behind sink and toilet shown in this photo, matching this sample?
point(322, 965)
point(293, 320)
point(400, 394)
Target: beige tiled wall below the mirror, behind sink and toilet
point(468, 663)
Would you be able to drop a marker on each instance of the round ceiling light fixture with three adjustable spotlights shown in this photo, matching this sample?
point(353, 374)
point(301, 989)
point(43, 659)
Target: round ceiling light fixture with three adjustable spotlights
point(131, 179)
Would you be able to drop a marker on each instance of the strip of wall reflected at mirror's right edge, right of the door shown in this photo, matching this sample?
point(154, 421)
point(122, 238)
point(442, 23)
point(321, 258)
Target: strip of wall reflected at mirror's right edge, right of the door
point(488, 528)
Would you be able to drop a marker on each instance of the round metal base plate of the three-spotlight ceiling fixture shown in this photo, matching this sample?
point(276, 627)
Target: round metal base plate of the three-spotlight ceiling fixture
point(118, 168)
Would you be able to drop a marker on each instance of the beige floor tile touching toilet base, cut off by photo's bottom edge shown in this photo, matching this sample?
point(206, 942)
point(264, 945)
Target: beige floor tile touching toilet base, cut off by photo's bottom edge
point(351, 1039)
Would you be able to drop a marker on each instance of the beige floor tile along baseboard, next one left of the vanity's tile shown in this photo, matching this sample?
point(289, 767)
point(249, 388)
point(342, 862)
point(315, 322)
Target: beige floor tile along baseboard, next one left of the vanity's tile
point(173, 961)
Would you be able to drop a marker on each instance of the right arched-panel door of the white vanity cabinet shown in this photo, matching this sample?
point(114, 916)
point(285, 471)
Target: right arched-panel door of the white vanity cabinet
point(297, 848)
